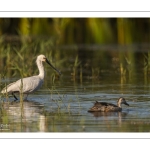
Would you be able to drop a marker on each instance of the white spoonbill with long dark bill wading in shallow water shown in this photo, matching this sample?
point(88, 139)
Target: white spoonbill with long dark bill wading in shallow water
point(29, 84)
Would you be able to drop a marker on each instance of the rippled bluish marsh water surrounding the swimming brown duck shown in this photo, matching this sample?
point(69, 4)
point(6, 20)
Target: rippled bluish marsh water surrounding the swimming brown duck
point(65, 109)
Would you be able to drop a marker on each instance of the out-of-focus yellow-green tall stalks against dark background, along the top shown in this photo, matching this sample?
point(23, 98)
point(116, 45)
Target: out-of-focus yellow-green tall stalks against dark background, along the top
point(79, 30)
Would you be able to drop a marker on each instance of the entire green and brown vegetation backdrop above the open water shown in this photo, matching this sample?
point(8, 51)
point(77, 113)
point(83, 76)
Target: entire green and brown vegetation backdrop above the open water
point(84, 46)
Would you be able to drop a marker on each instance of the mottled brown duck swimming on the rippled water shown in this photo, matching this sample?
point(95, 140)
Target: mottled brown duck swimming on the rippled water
point(108, 107)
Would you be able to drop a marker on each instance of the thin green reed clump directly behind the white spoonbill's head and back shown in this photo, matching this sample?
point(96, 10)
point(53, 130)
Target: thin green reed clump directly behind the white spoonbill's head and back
point(23, 56)
